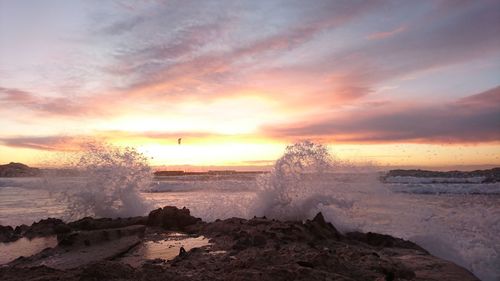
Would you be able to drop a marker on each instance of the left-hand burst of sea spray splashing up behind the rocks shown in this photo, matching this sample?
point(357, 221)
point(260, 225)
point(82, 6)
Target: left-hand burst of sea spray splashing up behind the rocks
point(109, 183)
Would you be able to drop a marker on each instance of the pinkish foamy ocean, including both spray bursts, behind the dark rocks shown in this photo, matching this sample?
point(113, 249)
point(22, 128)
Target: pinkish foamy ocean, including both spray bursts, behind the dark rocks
point(457, 221)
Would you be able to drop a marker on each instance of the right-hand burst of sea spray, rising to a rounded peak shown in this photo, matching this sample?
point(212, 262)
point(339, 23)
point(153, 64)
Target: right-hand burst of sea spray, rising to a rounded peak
point(299, 183)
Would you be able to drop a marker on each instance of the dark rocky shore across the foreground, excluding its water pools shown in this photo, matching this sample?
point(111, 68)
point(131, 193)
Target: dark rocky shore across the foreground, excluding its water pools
point(238, 249)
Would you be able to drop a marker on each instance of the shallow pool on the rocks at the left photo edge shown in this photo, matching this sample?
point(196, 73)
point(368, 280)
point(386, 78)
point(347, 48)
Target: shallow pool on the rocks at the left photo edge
point(25, 247)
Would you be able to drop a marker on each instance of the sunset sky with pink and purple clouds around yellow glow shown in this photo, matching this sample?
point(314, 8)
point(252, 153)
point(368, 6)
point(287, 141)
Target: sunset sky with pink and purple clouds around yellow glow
point(398, 83)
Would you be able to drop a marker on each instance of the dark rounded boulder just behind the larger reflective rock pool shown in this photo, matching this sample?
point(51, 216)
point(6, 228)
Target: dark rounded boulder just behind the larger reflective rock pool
point(171, 218)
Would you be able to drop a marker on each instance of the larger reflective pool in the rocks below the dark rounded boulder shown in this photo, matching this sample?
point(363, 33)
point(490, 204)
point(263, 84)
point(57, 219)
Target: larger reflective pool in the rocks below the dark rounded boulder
point(165, 248)
